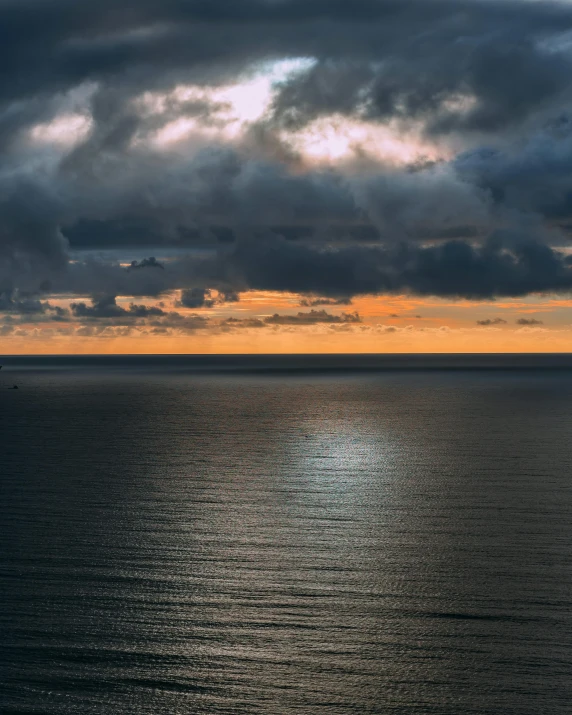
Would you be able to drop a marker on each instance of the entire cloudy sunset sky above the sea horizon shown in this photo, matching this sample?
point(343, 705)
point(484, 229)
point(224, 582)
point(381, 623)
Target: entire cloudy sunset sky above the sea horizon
point(235, 176)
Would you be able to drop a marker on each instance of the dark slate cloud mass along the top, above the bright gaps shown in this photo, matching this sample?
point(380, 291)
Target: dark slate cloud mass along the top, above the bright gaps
point(381, 56)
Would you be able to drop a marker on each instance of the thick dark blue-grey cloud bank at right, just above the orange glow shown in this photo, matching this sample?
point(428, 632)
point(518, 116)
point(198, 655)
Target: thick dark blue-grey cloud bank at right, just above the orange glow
point(502, 266)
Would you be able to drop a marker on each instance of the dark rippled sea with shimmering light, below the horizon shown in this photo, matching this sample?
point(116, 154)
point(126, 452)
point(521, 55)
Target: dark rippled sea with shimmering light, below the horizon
point(177, 540)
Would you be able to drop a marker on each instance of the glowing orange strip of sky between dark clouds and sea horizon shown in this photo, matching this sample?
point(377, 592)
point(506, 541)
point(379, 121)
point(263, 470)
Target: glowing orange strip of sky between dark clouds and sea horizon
point(387, 324)
